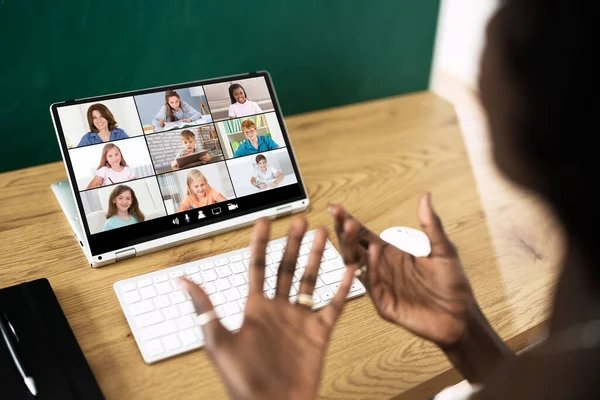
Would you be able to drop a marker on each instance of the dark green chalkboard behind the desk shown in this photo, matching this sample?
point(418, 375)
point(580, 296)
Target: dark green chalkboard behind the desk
point(320, 53)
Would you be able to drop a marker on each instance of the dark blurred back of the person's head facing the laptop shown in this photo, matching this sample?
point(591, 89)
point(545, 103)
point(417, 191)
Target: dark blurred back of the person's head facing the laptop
point(538, 81)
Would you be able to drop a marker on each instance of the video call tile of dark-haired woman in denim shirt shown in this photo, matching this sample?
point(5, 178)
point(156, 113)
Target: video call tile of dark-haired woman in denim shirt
point(99, 122)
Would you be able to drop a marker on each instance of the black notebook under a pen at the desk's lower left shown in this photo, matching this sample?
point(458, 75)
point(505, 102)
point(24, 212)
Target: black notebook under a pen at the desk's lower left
point(46, 347)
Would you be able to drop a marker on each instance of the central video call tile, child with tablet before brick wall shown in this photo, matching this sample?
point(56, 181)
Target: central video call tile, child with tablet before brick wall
point(184, 148)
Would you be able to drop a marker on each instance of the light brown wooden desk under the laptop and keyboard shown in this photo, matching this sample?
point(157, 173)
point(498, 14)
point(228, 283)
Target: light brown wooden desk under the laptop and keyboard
point(376, 158)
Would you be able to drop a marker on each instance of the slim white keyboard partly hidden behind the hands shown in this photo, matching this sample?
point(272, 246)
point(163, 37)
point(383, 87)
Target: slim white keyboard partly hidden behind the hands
point(163, 320)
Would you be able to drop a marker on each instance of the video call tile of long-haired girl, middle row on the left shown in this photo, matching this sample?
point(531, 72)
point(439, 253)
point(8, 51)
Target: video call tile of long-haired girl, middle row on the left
point(111, 163)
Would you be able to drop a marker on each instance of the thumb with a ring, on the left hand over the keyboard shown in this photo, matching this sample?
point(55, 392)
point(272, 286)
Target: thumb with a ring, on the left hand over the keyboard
point(214, 333)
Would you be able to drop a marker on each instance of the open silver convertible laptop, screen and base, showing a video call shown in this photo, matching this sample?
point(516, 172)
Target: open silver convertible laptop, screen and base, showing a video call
point(120, 199)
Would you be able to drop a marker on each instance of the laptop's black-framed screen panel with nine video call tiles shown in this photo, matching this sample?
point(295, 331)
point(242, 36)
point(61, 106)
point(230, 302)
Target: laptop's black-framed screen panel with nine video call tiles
point(156, 162)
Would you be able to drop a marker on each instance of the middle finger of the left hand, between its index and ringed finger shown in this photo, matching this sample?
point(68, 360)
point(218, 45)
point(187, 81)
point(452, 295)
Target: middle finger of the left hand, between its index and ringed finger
point(285, 273)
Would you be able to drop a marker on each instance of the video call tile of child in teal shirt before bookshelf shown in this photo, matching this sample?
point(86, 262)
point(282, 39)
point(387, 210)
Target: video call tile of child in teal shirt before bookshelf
point(250, 135)
